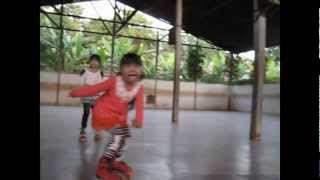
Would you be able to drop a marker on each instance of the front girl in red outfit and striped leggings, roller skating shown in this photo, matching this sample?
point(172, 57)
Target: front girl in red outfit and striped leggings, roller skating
point(111, 110)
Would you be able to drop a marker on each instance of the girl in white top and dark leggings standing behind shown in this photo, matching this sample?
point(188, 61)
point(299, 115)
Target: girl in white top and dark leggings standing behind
point(90, 76)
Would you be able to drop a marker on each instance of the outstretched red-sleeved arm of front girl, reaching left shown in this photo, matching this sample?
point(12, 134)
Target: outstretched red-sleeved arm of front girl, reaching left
point(92, 90)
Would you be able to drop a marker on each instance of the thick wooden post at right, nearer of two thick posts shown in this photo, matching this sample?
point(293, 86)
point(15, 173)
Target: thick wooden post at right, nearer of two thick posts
point(259, 70)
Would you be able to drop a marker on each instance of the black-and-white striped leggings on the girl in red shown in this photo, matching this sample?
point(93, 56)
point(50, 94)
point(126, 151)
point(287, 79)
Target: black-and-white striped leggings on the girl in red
point(117, 142)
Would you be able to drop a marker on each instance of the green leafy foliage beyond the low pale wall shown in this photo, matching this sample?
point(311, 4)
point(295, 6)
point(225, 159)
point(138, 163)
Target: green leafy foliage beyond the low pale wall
point(214, 65)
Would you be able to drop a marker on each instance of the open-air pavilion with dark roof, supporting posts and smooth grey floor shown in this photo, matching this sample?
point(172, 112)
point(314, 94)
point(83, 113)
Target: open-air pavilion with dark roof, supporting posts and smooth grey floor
point(197, 144)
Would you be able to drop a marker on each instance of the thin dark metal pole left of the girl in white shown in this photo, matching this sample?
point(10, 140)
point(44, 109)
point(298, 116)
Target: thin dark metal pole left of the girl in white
point(60, 62)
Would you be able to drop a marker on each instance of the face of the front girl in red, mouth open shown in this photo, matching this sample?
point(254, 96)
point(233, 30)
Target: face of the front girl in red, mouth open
point(131, 73)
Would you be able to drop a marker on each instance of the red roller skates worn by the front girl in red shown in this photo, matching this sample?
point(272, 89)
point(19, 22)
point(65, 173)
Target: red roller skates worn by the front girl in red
point(115, 170)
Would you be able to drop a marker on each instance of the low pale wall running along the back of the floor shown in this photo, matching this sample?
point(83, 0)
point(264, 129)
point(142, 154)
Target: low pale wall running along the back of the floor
point(209, 96)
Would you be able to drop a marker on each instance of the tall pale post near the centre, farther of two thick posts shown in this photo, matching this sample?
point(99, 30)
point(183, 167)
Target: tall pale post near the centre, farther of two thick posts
point(178, 57)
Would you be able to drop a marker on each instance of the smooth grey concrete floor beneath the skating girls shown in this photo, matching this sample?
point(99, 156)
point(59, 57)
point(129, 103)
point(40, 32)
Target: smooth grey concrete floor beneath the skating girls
point(203, 146)
